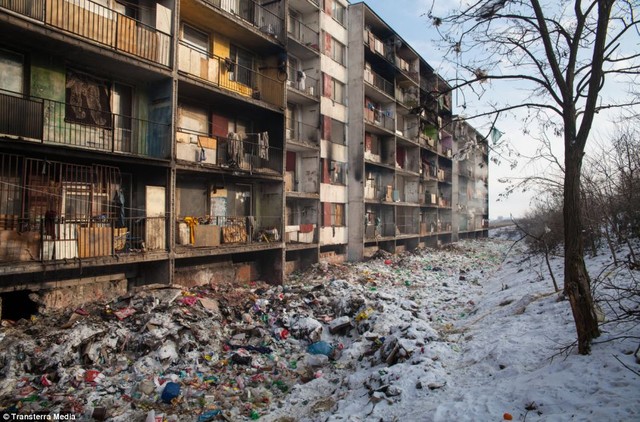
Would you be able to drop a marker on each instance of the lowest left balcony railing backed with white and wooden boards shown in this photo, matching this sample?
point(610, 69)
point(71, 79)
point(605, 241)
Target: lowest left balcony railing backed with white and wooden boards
point(50, 239)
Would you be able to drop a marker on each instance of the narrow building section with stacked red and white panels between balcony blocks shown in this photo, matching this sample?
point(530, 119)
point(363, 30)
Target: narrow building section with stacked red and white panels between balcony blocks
point(316, 120)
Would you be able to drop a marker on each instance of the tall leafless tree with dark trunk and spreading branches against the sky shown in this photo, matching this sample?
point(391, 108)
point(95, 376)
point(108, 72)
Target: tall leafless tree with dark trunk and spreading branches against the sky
point(567, 54)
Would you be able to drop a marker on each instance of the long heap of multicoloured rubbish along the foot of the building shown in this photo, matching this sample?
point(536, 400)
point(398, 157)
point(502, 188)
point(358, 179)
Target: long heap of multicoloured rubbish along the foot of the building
point(228, 352)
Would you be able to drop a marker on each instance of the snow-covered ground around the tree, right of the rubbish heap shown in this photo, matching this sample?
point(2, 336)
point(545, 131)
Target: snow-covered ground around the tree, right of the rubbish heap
point(486, 340)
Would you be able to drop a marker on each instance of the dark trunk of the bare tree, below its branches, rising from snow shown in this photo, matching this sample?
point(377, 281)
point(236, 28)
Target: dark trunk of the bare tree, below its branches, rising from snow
point(577, 285)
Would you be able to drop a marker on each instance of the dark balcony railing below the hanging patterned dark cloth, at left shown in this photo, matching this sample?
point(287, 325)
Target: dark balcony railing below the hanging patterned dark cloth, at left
point(55, 122)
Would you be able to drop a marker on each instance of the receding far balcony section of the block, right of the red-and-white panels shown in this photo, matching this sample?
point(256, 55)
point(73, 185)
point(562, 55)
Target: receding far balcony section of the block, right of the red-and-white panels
point(402, 169)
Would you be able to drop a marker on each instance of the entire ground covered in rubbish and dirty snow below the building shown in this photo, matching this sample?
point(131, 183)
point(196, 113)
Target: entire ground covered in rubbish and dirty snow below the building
point(467, 333)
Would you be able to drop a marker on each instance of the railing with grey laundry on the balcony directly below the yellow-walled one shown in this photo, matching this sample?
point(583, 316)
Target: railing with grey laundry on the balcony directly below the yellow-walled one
point(250, 153)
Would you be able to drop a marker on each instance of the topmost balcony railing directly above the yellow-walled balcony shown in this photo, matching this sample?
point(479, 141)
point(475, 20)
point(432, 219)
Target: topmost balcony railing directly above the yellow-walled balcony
point(254, 14)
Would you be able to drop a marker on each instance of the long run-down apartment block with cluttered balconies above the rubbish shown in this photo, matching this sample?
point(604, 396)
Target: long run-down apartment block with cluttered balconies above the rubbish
point(215, 140)
